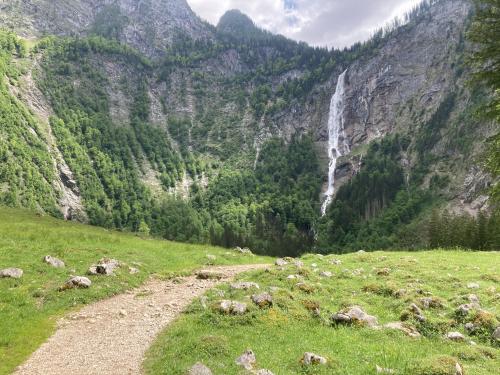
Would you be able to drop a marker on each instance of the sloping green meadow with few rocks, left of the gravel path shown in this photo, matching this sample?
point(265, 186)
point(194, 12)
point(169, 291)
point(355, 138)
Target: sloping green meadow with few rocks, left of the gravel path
point(29, 307)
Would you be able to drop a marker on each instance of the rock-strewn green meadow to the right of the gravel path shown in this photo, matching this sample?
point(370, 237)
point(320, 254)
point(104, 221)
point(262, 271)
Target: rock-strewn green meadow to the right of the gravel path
point(383, 284)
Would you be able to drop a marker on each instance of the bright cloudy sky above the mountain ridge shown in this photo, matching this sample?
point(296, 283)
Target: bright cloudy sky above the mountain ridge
point(324, 23)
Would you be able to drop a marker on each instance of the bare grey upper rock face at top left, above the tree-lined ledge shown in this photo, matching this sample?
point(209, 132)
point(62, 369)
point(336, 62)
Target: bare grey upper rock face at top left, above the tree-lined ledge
point(147, 25)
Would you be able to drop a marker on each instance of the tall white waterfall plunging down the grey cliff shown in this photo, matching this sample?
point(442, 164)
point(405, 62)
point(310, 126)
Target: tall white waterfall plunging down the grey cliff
point(337, 143)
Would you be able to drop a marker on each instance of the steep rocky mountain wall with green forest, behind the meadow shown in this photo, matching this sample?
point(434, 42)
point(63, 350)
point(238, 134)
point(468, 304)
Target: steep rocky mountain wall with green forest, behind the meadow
point(149, 102)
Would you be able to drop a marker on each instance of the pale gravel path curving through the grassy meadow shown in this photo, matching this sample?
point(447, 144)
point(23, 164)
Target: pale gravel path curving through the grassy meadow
point(112, 336)
